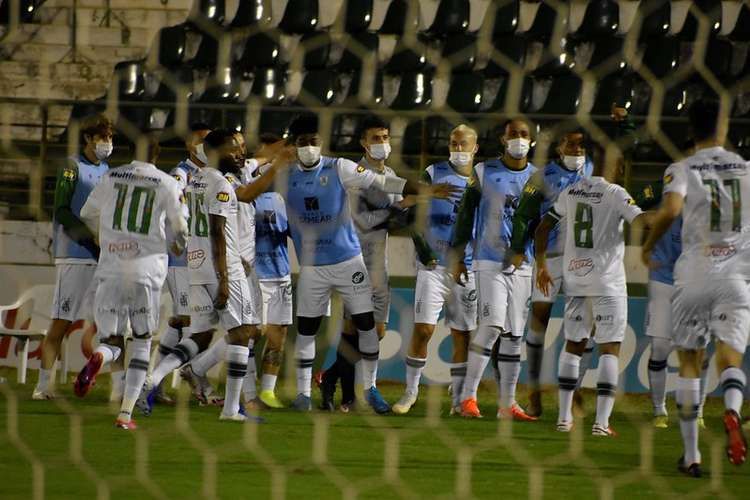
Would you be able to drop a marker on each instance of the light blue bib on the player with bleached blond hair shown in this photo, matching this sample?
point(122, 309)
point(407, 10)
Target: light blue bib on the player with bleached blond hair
point(442, 214)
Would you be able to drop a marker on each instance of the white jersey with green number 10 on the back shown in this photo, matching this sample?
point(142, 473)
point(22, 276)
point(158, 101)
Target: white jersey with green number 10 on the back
point(130, 206)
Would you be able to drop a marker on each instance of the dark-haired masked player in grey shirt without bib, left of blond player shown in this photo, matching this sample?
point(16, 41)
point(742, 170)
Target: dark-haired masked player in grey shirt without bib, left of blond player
point(373, 211)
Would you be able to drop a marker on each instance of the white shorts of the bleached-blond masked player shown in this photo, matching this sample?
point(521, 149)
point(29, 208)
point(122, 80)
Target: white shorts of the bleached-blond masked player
point(436, 289)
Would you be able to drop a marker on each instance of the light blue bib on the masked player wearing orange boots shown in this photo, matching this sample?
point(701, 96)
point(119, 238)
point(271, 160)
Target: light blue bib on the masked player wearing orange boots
point(501, 191)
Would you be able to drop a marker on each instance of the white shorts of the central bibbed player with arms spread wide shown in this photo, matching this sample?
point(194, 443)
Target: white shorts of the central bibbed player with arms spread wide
point(349, 278)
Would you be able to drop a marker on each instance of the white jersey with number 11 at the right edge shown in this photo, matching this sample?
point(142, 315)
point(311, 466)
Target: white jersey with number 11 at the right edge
point(716, 223)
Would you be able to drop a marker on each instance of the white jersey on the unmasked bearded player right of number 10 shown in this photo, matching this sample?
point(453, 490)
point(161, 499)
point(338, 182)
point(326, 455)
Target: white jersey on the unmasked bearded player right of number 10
point(209, 193)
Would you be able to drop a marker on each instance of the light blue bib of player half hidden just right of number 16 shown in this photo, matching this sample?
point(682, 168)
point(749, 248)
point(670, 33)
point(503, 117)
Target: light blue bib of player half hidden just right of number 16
point(271, 231)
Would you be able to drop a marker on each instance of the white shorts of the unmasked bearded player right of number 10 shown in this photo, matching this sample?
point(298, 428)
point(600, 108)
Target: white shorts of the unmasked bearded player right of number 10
point(238, 311)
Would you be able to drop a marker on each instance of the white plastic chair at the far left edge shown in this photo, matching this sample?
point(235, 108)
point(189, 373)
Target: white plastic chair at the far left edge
point(22, 322)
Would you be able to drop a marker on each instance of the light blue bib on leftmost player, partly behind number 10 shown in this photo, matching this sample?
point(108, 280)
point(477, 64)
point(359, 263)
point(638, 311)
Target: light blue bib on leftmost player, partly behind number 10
point(84, 176)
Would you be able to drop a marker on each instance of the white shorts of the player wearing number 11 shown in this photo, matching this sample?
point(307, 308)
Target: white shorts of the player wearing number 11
point(718, 308)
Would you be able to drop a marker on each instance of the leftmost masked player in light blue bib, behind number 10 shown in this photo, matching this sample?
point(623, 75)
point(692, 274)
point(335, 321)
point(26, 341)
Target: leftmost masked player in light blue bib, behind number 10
point(75, 247)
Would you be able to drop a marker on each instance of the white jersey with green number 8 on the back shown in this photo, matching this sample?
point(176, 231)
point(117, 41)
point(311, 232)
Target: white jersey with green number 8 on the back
point(594, 254)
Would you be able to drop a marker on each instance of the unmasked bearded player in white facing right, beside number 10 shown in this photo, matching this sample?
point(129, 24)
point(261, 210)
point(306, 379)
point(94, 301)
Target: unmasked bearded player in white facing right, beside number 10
point(219, 288)
